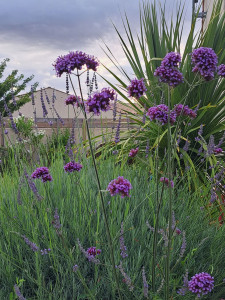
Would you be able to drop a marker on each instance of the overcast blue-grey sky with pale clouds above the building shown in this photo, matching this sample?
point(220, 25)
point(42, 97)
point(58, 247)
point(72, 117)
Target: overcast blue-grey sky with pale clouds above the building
point(33, 33)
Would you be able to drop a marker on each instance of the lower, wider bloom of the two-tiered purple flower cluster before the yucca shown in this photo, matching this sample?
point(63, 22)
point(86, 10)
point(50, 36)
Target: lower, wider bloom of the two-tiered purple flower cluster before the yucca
point(171, 76)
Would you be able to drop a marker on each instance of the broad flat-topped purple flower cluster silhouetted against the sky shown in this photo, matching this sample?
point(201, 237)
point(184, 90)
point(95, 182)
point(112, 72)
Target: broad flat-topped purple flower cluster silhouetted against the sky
point(74, 60)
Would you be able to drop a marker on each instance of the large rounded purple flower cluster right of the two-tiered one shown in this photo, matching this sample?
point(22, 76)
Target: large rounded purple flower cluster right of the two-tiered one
point(205, 62)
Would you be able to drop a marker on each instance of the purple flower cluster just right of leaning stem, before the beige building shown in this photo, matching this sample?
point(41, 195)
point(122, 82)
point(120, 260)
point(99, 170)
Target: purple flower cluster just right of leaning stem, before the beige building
point(100, 101)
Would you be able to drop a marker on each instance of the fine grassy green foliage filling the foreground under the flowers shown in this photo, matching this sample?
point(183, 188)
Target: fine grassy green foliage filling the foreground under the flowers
point(76, 197)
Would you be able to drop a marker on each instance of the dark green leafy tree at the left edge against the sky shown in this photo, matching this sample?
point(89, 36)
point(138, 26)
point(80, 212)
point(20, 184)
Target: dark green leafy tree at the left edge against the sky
point(10, 87)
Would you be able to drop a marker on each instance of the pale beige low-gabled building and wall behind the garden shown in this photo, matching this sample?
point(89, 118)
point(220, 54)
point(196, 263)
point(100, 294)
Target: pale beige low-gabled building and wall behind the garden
point(60, 115)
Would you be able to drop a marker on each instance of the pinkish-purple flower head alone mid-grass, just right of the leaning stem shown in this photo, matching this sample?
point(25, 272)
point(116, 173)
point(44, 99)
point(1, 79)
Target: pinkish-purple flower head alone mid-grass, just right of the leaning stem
point(119, 186)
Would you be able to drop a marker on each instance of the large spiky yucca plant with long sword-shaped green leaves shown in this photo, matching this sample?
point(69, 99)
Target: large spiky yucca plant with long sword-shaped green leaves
point(157, 37)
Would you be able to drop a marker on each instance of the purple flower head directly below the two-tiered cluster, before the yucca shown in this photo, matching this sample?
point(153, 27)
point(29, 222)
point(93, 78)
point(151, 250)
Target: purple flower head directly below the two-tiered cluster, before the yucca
point(160, 113)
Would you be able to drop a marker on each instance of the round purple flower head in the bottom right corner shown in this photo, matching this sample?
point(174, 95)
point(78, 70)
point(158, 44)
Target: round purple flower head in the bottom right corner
point(201, 284)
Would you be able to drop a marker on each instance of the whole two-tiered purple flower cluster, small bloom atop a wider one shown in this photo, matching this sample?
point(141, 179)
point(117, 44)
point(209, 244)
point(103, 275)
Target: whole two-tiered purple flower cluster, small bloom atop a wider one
point(168, 71)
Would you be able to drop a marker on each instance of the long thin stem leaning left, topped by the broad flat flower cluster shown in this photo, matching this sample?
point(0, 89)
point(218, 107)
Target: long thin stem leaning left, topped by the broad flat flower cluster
point(100, 191)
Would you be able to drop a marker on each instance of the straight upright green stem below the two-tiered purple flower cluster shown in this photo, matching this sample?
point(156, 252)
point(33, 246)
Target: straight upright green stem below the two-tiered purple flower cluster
point(169, 163)
